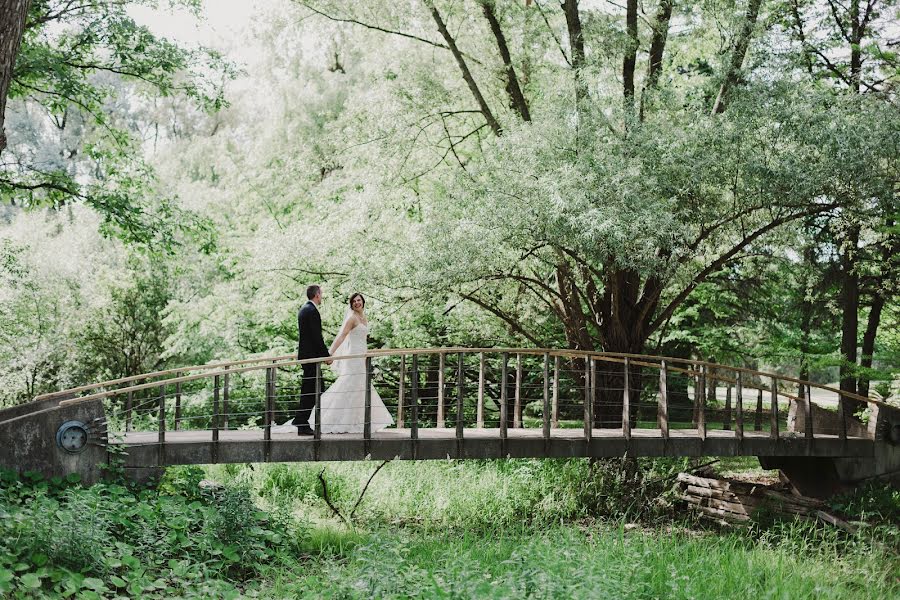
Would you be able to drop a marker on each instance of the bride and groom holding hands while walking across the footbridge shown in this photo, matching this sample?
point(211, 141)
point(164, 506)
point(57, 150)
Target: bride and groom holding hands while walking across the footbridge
point(343, 404)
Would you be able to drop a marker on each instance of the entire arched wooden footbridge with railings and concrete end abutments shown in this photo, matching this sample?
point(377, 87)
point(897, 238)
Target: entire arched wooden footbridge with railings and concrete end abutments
point(462, 403)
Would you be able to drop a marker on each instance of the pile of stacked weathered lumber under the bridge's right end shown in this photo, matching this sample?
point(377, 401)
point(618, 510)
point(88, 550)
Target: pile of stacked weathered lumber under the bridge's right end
point(728, 502)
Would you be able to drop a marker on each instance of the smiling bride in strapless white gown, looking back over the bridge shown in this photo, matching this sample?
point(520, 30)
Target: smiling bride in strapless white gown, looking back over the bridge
point(343, 404)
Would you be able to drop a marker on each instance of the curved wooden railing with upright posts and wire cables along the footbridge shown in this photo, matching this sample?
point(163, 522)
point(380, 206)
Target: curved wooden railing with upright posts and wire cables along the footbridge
point(588, 393)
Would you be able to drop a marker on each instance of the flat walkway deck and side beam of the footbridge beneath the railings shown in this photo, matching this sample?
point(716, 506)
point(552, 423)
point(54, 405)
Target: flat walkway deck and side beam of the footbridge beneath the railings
point(237, 446)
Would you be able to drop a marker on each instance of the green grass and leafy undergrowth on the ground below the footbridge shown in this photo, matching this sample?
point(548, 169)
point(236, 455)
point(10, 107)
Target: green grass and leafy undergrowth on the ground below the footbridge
point(431, 529)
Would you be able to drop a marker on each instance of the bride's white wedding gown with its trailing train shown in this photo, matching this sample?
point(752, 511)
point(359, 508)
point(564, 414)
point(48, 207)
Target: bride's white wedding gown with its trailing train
point(344, 403)
